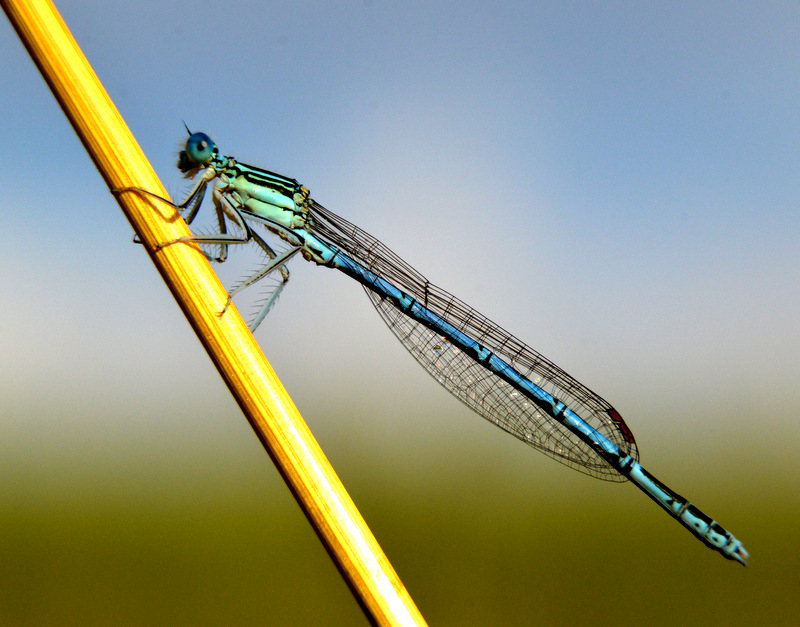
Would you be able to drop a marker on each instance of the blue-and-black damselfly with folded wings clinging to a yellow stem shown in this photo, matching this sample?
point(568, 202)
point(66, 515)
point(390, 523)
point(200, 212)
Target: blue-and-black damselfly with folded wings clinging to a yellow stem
point(488, 369)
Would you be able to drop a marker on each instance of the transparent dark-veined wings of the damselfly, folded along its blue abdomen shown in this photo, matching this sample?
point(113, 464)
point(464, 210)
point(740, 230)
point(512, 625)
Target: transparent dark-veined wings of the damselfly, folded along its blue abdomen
point(475, 386)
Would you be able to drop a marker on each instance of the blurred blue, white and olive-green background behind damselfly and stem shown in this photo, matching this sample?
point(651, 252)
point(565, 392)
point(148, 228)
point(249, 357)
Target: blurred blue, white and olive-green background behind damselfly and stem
point(615, 183)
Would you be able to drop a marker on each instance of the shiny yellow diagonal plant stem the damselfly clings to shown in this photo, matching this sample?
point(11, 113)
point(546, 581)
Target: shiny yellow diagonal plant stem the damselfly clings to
point(202, 298)
